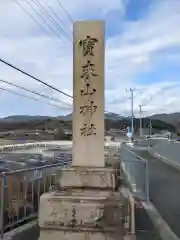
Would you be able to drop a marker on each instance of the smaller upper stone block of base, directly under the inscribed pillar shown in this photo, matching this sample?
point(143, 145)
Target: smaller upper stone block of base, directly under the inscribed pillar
point(88, 177)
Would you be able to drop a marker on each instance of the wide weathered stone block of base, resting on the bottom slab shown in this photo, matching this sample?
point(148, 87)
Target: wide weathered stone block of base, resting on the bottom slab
point(94, 209)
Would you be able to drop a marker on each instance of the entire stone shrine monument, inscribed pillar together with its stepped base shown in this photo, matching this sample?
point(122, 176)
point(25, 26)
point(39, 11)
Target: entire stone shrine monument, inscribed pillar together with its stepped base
point(85, 205)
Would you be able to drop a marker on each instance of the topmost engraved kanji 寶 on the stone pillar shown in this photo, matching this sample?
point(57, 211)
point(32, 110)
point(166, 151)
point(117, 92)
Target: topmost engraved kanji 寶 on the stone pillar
point(88, 45)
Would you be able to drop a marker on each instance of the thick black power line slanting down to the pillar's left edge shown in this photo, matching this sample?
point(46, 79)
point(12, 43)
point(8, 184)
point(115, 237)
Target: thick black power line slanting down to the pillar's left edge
point(36, 79)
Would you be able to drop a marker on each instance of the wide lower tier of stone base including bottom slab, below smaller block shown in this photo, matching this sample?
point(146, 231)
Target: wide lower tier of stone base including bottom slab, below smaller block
point(77, 213)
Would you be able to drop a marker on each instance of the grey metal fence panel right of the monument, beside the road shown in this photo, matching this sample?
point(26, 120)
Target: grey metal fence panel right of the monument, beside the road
point(134, 172)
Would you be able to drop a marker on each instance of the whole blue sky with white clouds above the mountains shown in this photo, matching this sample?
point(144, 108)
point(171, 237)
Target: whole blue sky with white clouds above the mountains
point(142, 52)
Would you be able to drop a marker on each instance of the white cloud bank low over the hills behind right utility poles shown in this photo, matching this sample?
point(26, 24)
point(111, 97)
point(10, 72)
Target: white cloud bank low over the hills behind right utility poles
point(156, 97)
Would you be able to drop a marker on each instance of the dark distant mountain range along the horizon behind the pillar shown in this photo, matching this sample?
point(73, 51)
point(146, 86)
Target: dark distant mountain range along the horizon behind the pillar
point(112, 121)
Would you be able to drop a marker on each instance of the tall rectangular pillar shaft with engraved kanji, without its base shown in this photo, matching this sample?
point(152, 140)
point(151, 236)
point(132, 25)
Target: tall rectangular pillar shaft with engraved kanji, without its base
point(88, 92)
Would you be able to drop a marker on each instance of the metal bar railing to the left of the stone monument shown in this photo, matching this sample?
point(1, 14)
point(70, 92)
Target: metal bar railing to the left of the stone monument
point(20, 193)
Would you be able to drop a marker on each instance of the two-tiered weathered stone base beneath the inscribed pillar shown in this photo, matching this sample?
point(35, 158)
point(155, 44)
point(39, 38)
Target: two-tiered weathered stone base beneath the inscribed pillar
point(84, 207)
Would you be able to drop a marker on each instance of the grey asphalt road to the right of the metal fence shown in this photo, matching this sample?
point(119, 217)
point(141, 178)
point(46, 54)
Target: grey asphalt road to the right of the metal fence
point(164, 187)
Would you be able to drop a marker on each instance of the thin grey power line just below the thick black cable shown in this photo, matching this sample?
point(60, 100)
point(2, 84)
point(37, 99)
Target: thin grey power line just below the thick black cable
point(34, 92)
